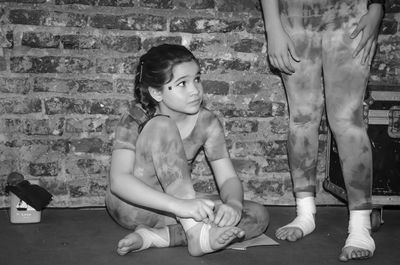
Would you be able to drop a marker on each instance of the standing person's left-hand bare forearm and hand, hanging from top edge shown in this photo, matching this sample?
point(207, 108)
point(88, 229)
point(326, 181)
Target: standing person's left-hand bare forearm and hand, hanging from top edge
point(281, 51)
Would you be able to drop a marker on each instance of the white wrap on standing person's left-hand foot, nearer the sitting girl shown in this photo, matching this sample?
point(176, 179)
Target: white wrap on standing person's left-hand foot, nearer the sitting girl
point(306, 210)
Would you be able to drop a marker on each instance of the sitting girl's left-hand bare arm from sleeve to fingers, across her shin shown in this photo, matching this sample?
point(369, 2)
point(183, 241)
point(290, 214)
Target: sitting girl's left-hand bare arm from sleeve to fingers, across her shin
point(131, 189)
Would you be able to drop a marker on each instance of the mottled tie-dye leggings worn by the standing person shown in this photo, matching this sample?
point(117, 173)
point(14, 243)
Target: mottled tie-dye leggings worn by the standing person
point(327, 76)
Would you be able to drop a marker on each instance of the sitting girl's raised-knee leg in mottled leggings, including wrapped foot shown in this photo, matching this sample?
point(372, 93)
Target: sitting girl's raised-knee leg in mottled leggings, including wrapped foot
point(170, 163)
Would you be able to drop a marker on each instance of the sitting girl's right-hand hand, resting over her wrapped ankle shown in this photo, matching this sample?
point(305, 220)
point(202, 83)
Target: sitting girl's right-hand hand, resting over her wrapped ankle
point(228, 215)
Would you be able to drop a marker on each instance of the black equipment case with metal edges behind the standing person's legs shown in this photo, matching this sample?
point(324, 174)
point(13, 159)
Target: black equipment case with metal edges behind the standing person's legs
point(382, 114)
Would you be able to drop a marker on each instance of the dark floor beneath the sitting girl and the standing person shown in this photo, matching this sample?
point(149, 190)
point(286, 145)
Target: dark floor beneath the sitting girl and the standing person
point(89, 236)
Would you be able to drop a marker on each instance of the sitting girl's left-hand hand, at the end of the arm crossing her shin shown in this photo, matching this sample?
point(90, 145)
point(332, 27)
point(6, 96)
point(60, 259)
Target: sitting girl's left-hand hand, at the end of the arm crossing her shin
point(201, 210)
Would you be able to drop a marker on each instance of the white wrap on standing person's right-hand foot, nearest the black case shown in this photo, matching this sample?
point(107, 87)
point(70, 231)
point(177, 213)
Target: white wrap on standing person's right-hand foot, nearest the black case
point(359, 231)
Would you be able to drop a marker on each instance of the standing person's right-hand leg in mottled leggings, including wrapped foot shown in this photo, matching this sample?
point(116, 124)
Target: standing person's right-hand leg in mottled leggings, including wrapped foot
point(345, 84)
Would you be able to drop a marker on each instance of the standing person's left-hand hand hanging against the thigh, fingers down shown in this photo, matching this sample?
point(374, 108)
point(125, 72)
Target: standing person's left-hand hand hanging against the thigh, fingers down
point(281, 51)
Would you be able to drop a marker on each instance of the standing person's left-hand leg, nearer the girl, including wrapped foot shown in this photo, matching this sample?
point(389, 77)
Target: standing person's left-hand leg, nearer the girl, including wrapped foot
point(305, 99)
